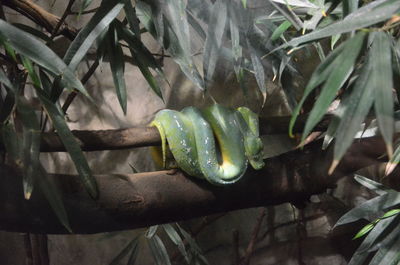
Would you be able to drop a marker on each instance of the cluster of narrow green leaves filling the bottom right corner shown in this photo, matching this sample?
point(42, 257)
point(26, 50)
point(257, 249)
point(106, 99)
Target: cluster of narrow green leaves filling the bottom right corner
point(382, 241)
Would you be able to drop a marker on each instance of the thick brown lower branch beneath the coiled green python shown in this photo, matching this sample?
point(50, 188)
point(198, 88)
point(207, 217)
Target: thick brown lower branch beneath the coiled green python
point(136, 200)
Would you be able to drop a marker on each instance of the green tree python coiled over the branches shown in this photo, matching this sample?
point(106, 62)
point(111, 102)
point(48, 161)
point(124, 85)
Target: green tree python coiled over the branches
point(216, 143)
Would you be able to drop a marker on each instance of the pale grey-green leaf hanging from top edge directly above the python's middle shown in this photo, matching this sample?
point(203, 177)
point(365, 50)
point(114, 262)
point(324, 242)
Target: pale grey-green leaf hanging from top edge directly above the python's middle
point(215, 33)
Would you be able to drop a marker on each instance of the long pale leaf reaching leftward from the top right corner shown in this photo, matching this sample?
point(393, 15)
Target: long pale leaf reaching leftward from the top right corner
point(370, 14)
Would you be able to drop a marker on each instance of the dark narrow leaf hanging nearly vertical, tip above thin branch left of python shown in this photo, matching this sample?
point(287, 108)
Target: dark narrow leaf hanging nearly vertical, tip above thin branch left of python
point(117, 65)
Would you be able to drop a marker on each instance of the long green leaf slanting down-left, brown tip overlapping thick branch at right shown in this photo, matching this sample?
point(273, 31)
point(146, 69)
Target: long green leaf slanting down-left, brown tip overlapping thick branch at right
point(356, 108)
